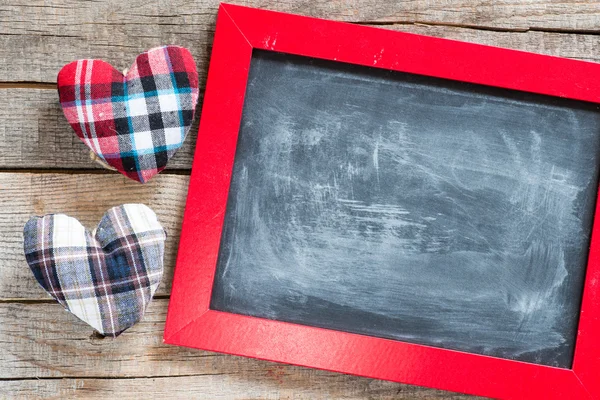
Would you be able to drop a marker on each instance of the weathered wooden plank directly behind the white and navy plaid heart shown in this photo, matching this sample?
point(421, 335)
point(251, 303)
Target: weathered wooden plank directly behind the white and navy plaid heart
point(86, 197)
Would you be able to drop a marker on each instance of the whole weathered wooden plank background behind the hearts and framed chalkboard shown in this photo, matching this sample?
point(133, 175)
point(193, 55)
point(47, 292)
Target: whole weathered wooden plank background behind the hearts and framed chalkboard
point(47, 353)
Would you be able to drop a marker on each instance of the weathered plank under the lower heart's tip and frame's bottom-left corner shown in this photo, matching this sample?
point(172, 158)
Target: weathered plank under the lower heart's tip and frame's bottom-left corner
point(42, 340)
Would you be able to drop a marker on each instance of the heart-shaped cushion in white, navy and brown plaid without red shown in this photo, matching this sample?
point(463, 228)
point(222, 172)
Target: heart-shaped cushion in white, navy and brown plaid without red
point(107, 279)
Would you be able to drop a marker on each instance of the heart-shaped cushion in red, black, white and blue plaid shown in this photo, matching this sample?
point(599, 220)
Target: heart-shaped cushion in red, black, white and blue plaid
point(135, 123)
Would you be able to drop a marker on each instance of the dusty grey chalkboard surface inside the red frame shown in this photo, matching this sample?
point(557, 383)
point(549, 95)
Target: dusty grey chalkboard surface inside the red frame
point(411, 208)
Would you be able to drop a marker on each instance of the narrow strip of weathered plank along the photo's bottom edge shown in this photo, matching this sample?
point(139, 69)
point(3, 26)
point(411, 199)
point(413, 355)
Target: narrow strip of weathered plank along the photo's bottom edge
point(271, 383)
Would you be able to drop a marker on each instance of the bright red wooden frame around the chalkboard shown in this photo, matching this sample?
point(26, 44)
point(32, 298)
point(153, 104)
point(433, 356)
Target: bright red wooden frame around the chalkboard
point(191, 323)
